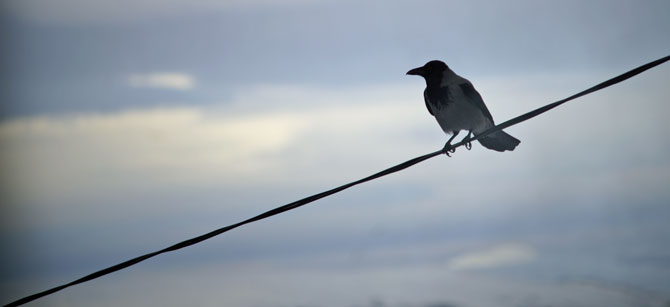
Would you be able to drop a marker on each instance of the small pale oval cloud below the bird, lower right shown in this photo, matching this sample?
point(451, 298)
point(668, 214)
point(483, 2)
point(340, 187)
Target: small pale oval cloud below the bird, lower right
point(497, 256)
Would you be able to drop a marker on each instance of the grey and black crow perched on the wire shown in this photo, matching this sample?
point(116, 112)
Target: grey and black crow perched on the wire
point(456, 105)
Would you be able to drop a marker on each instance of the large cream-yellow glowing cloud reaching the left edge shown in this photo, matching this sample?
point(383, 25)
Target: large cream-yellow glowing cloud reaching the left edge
point(95, 150)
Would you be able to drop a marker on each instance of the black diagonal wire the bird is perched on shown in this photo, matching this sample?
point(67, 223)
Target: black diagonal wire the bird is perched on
point(309, 199)
